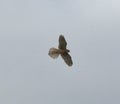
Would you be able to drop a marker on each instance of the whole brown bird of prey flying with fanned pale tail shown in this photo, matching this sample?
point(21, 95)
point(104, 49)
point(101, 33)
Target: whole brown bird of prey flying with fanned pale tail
point(54, 53)
